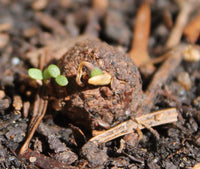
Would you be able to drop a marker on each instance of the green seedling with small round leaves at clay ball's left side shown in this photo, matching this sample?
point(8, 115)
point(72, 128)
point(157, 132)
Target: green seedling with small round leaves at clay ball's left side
point(52, 71)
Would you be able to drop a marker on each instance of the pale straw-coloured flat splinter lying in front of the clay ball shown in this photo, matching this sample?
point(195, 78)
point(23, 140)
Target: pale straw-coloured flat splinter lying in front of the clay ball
point(152, 119)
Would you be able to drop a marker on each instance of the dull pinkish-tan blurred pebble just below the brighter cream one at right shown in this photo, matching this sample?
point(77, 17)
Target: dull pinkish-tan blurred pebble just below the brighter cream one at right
point(184, 80)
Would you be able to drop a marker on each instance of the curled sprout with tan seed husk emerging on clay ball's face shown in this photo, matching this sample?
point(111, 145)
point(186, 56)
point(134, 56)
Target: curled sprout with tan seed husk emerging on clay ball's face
point(97, 77)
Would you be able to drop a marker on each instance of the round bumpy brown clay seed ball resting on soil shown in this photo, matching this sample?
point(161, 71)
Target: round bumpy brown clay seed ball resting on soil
point(100, 106)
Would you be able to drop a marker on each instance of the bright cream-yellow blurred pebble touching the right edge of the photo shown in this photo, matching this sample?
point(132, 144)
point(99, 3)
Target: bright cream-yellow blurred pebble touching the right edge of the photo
point(191, 54)
